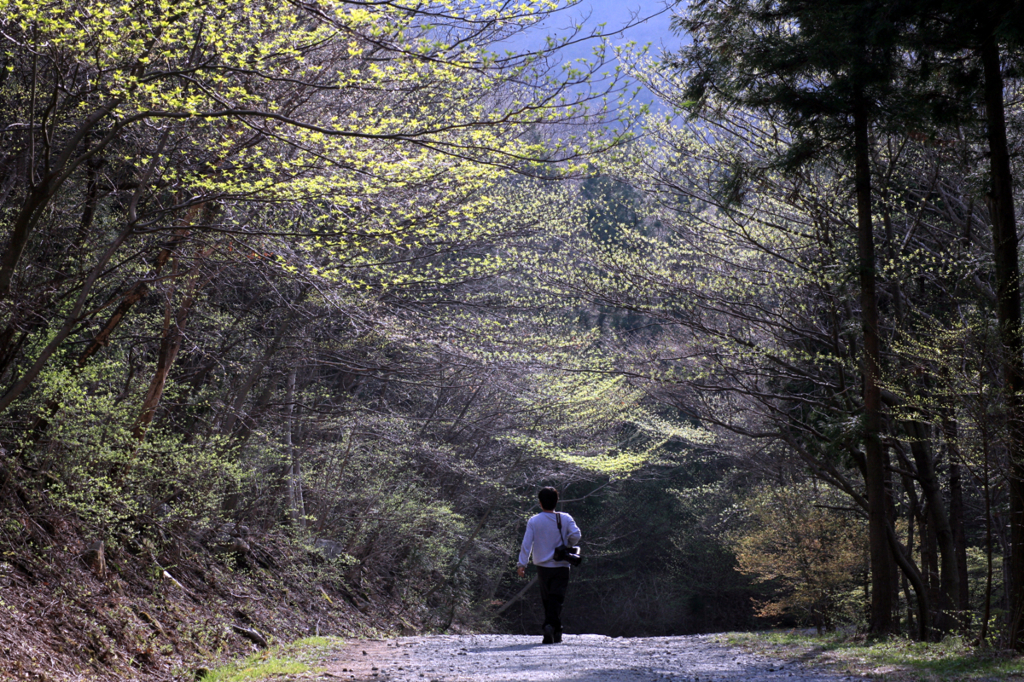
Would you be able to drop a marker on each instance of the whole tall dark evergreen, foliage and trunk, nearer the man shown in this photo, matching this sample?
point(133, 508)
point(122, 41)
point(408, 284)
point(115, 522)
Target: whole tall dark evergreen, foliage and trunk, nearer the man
point(830, 71)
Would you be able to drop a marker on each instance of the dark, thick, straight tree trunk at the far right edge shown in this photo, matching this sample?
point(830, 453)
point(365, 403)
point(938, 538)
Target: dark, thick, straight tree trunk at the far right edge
point(1009, 315)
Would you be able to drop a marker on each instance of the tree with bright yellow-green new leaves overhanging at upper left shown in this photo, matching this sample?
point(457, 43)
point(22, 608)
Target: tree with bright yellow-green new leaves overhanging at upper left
point(264, 104)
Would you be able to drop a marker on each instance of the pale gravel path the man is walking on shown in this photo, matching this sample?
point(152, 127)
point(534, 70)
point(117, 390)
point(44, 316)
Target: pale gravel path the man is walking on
point(579, 659)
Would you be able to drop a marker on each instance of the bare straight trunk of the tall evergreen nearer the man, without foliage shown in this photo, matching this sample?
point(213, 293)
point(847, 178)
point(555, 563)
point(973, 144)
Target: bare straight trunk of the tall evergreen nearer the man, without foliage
point(881, 622)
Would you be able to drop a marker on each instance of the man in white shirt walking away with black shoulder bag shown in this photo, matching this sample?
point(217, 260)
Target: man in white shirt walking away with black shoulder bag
point(543, 536)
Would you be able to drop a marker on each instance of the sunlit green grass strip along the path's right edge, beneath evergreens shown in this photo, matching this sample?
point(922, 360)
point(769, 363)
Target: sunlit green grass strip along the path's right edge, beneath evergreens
point(894, 659)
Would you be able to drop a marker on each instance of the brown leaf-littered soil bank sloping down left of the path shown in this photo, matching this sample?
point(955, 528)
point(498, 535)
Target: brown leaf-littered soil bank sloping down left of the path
point(162, 615)
